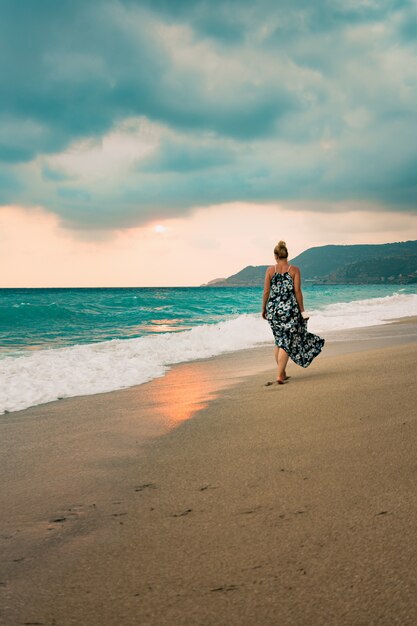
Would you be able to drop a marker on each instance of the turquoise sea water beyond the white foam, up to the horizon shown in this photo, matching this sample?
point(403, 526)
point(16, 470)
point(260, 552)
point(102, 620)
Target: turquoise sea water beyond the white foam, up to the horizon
point(46, 318)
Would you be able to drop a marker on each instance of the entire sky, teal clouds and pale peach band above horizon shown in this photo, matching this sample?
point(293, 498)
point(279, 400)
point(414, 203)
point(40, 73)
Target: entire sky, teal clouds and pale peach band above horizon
point(170, 142)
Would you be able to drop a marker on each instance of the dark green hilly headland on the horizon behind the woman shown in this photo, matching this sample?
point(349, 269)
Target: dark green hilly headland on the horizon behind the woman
point(335, 264)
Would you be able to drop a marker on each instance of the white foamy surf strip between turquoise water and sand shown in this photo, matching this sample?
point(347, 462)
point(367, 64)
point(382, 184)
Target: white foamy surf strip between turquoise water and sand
point(38, 377)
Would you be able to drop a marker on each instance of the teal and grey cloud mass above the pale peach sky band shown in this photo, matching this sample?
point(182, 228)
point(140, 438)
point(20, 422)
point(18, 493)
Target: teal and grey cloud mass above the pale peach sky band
point(117, 112)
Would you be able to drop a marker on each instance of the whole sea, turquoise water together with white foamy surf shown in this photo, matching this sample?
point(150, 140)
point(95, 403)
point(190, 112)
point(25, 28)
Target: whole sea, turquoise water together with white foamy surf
point(58, 343)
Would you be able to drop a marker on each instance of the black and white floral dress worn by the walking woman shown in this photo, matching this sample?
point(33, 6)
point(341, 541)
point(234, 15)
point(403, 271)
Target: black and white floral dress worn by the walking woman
point(287, 323)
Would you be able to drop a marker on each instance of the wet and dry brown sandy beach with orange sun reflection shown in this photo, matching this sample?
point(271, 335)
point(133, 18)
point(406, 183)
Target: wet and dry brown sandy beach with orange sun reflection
point(208, 498)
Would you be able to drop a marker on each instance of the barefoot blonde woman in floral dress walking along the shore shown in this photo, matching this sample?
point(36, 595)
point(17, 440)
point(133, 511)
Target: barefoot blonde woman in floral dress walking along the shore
point(283, 307)
